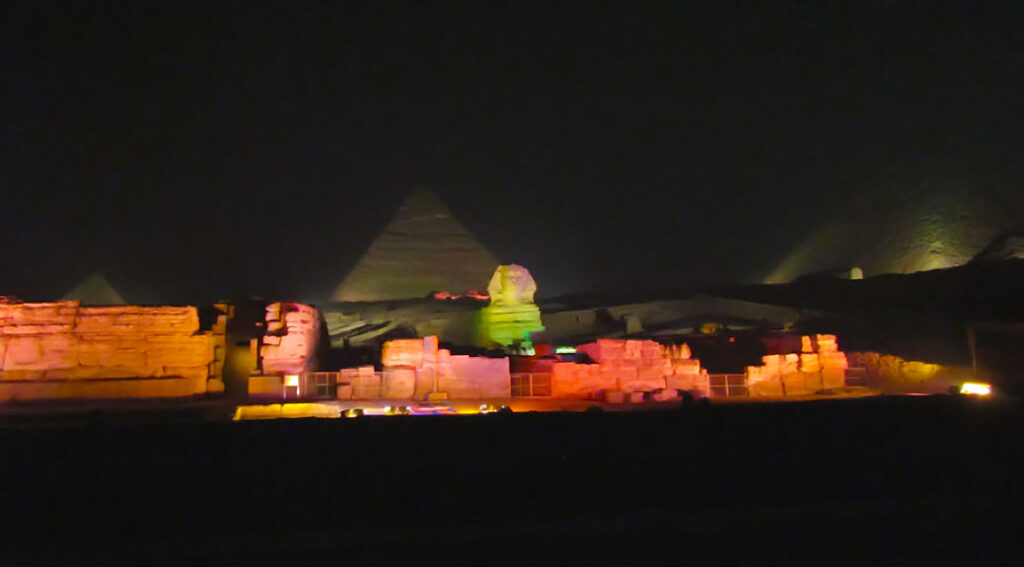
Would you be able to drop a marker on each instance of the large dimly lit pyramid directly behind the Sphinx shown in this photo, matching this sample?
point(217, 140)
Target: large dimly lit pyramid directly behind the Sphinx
point(424, 249)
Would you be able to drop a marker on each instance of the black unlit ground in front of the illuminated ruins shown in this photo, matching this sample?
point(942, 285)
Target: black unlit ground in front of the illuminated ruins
point(886, 481)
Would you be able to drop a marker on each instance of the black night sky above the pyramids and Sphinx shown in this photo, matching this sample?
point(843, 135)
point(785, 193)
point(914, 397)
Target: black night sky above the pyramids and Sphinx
point(191, 152)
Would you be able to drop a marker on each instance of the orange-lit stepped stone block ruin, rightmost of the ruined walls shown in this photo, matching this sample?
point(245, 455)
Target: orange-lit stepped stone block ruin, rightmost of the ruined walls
point(821, 366)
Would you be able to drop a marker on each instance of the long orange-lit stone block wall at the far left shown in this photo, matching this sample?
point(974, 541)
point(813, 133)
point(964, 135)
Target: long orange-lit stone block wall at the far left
point(64, 351)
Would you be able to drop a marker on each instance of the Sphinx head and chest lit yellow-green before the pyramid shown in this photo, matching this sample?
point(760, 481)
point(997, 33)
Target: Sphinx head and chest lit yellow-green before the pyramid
point(513, 316)
